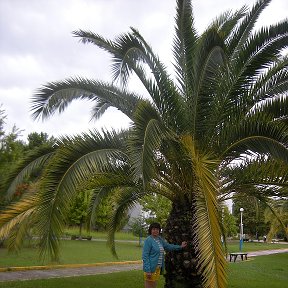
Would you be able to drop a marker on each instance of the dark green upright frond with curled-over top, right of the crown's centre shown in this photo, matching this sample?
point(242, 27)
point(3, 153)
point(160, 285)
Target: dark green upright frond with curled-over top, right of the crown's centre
point(204, 100)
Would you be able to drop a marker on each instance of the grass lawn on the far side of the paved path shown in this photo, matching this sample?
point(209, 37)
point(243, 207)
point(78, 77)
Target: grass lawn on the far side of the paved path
point(80, 252)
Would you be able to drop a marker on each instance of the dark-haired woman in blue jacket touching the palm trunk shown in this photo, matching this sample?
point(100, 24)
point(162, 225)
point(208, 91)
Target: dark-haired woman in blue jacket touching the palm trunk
point(153, 255)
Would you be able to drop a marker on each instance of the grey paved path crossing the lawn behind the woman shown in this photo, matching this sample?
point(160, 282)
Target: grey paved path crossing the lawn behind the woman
point(92, 270)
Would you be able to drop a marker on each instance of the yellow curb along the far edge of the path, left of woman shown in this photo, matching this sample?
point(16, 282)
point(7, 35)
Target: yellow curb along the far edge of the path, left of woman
point(48, 267)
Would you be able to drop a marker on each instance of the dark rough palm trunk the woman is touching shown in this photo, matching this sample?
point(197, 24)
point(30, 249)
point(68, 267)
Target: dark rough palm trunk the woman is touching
point(181, 266)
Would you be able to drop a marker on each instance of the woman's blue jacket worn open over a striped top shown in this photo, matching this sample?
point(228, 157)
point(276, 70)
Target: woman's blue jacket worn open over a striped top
point(151, 253)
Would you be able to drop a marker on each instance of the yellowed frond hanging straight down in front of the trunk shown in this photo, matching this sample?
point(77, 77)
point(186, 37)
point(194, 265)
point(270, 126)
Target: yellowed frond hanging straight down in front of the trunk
point(212, 262)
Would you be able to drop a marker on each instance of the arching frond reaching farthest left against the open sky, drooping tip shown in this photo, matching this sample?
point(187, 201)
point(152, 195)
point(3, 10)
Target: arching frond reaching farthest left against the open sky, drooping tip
point(55, 96)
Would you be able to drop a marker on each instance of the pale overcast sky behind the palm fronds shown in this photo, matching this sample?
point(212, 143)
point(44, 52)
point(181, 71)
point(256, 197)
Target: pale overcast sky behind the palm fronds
point(37, 46)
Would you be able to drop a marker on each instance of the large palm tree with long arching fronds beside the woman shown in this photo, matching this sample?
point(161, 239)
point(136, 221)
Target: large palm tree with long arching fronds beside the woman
point(226, 103)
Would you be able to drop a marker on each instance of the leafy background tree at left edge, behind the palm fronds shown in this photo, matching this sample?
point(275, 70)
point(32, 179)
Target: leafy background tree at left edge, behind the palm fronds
point(13, 151)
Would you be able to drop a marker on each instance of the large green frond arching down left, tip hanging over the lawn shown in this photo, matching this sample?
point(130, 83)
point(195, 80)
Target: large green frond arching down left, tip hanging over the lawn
point(74, 163)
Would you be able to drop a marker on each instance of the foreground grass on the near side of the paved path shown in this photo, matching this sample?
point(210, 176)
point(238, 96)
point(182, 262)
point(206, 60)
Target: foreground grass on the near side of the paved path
point(262, 271)
